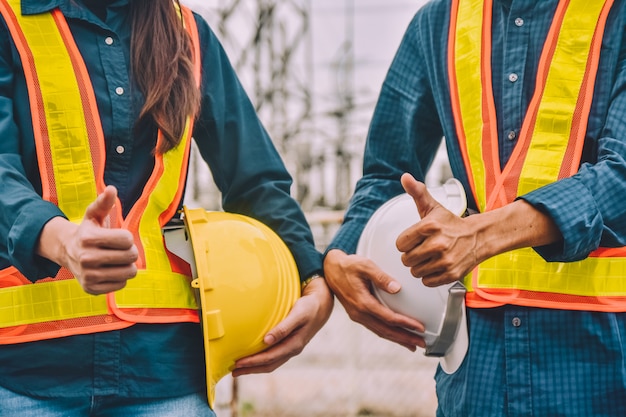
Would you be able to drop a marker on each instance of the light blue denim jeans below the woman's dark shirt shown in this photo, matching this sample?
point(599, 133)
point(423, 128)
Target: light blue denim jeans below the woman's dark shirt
point(13, 405)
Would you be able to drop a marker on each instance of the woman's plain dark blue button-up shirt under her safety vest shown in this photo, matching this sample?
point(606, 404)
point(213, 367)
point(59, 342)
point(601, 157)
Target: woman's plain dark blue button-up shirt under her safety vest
point(144, 360)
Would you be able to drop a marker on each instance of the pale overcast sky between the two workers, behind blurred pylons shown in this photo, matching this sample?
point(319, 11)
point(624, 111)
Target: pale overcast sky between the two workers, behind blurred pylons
point(376, 28)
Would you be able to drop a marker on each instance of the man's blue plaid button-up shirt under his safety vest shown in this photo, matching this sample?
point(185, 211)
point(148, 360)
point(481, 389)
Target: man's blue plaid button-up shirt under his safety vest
point(521, 361)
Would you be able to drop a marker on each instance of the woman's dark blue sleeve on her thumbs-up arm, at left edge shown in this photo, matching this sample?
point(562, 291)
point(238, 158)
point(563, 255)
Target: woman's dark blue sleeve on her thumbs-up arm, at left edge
point(23, 212)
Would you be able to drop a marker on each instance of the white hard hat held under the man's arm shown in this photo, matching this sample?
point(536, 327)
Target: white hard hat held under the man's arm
point(441, 309)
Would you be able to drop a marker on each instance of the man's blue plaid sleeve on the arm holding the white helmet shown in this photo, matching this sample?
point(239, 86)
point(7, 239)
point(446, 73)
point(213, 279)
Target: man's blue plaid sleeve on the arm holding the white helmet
point(404, 135)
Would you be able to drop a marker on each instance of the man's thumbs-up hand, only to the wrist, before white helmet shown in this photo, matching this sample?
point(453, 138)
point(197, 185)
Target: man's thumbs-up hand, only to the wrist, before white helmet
point(441, 247)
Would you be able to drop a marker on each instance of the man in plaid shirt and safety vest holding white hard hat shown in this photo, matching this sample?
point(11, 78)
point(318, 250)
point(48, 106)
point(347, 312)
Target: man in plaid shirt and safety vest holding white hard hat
point(531, 99)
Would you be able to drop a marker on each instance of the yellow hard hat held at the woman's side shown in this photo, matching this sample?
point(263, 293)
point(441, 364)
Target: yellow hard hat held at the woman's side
point(247, 281)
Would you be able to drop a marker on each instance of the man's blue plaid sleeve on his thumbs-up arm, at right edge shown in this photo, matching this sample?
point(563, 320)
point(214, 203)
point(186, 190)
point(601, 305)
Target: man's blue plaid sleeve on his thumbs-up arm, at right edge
point(588, 207)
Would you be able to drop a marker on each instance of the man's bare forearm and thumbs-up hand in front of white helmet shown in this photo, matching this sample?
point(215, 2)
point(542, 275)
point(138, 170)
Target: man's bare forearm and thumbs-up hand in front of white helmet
point(442, 247)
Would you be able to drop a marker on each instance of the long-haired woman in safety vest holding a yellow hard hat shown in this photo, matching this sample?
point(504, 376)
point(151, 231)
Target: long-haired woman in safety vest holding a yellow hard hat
point(99, 102)
